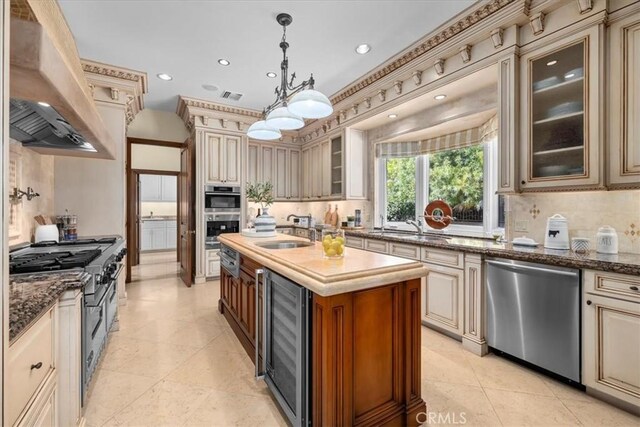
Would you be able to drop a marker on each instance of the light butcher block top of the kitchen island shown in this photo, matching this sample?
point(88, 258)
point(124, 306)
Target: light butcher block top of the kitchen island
point(357, 270)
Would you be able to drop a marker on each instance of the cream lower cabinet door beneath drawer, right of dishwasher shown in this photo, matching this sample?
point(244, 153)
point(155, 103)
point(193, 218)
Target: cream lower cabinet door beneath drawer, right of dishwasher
point(611, 347)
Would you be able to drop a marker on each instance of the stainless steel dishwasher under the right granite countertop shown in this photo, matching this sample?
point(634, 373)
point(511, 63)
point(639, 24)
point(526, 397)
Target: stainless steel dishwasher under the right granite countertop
point(533, 314)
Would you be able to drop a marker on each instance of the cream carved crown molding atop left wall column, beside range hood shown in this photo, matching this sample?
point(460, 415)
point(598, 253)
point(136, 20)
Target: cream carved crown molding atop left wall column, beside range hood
point(116, 85)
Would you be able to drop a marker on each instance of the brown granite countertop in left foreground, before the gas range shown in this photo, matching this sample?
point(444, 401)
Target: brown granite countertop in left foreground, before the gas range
point(30, 295)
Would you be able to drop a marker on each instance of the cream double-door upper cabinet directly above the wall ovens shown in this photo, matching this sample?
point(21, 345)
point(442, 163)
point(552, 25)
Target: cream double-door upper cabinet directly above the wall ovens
point(222, 158)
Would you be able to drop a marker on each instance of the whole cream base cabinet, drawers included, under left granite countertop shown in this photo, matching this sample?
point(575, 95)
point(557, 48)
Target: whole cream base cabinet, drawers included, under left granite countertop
point(31, 374)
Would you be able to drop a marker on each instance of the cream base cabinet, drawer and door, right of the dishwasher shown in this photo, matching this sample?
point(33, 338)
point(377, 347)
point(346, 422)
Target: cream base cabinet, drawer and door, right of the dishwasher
point(611, 335)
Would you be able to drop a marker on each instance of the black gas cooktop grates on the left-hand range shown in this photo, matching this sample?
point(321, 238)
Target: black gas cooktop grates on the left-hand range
point(60, 260)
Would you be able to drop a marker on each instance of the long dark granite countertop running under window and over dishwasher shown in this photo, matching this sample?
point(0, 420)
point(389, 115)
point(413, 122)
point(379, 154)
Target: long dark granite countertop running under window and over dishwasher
point(623, 263)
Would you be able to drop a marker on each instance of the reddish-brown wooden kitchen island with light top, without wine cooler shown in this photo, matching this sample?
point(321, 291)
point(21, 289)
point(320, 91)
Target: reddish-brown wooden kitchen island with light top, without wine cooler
point(365, 328)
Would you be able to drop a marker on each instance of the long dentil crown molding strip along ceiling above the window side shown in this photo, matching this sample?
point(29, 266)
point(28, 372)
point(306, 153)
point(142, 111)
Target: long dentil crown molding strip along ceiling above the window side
point(435, 40)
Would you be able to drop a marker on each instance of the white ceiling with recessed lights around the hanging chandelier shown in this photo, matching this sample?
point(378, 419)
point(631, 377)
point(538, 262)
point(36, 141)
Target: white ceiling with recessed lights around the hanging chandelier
point(186, 38)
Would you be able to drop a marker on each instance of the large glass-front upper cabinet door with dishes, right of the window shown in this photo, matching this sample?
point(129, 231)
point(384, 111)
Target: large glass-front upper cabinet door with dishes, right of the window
point(561, 113)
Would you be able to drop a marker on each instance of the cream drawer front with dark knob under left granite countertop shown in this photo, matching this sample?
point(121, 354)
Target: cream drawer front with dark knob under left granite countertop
point(31, 359)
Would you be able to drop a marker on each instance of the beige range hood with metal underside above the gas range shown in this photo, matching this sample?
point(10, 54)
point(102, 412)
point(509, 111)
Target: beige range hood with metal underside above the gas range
point(52, 110)
